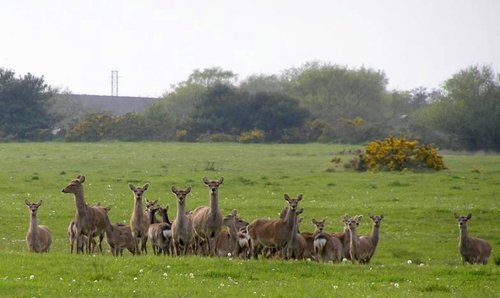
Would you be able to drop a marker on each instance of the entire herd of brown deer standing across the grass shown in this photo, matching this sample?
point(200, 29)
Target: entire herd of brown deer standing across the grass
point(201, 231)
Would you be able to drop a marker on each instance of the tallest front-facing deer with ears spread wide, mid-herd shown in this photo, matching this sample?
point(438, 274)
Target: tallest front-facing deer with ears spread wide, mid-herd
point(207, 220)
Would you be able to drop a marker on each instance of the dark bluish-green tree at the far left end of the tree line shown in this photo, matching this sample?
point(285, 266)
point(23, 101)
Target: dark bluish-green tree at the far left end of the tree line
point(25, 105)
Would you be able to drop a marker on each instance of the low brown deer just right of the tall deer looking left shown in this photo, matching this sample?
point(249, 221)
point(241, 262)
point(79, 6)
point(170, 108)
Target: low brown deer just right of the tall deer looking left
point(119, 237)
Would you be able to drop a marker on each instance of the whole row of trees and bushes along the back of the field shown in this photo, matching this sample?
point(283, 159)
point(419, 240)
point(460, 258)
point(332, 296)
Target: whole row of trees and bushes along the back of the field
point(316, 102)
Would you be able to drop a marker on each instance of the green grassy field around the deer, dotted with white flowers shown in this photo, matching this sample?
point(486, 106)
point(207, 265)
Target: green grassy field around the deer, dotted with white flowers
point(417, 254)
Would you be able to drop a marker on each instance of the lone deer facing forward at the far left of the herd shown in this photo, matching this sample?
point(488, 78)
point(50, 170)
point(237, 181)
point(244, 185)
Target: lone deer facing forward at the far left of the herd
point(38, 237)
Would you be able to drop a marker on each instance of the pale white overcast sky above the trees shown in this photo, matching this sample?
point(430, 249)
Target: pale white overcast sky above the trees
point(154, 44)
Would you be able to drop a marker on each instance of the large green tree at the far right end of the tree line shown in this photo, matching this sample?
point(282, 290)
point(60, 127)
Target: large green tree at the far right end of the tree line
point(468, 111)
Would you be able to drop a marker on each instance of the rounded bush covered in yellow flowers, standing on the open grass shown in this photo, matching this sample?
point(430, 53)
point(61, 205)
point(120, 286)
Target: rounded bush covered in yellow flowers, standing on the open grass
point(398, 154)
